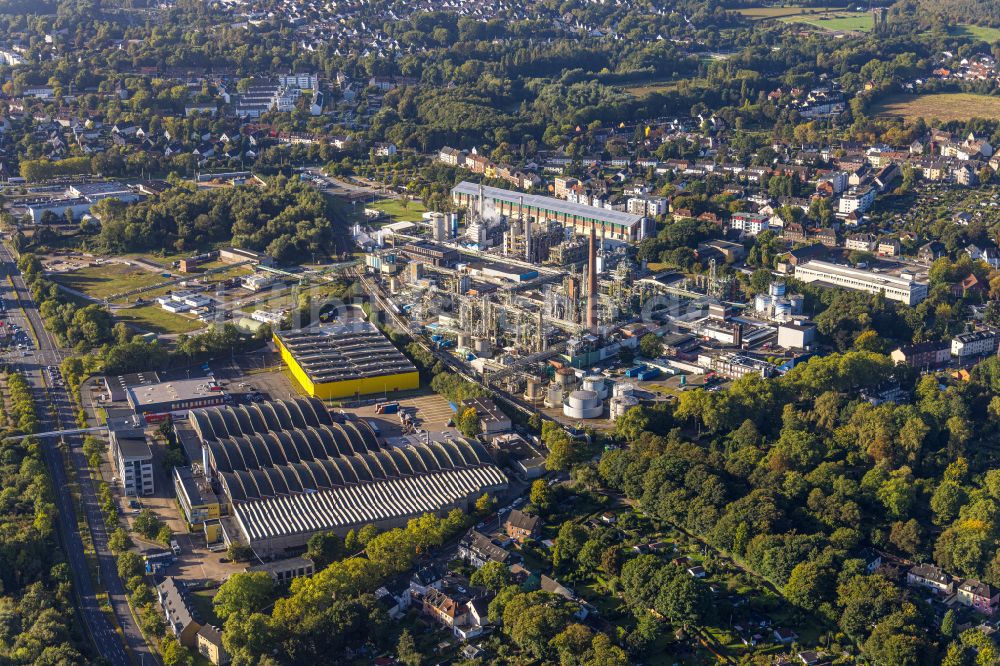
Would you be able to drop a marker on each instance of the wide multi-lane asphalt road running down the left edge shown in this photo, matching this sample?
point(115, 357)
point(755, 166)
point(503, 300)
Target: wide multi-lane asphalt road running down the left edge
point(55, 411)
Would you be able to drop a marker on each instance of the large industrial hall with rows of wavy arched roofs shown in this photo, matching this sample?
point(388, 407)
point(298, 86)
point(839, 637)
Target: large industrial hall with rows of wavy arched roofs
point(289, 471)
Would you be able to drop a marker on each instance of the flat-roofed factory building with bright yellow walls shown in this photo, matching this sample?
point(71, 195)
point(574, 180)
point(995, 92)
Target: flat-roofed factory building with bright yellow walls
point(344, 360)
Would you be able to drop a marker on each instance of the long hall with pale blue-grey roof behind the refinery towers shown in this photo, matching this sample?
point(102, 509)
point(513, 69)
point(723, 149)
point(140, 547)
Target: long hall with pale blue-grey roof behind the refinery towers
point(614, 224)
